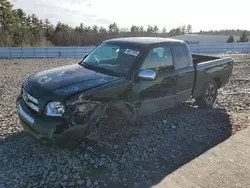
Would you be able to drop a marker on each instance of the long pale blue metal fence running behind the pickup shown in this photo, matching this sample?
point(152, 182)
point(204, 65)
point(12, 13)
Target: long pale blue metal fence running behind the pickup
point(79, 52)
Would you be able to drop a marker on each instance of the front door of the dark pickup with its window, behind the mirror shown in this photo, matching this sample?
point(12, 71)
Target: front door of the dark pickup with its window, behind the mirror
point(158, 94)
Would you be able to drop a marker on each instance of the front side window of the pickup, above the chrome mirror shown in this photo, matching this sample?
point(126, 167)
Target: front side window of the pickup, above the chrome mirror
point(159, 59)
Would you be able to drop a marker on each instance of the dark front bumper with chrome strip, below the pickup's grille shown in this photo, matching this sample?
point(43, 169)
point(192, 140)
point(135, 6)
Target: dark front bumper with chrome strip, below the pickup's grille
point(40, 127)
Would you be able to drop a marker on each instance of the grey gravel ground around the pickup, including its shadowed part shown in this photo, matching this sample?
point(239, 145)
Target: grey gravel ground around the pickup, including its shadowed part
point(129, 156)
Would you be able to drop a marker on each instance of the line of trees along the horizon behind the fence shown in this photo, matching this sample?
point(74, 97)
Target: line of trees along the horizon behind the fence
point(20, 29)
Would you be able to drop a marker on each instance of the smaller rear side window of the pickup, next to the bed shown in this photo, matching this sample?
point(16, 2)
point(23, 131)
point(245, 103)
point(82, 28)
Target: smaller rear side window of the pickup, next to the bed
point(180, 55)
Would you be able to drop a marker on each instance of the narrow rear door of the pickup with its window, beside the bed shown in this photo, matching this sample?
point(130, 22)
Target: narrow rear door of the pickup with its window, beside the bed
point(185, 71)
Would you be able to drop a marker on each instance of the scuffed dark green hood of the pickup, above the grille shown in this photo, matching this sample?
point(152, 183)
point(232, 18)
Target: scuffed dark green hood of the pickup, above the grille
point(65, 80)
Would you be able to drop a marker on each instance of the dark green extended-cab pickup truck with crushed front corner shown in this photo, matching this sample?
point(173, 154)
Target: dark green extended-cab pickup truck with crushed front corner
point(132, 76)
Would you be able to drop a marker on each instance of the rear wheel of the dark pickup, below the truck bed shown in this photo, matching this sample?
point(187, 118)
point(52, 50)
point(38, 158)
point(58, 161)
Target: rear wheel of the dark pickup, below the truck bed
point(207, 99)
